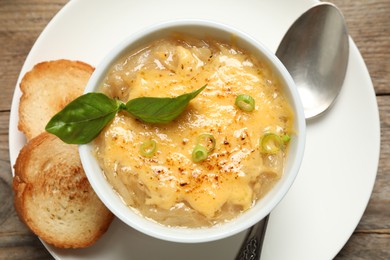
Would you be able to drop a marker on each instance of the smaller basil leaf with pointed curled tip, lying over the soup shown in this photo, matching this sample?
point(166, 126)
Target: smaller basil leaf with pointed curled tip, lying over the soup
point(160, 110)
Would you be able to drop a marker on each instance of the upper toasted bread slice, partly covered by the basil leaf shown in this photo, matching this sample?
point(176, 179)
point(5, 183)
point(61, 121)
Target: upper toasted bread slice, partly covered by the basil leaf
point(46, 89)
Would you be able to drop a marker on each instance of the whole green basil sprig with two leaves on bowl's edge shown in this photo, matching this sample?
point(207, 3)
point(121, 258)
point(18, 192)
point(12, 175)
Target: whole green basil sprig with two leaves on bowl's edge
point(82, 119)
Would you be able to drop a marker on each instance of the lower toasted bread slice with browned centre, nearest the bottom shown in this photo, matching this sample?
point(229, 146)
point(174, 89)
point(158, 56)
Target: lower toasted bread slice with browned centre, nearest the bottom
point(53, 196)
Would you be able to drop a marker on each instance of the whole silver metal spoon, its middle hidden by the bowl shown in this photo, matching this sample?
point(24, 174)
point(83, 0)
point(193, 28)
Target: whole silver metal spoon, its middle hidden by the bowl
point(315, 51)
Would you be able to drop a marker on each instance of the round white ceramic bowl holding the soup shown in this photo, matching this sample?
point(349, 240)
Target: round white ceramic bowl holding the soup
point(198, 28)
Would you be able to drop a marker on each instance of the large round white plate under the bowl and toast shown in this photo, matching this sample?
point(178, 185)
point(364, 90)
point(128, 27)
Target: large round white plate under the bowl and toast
point(331, 192)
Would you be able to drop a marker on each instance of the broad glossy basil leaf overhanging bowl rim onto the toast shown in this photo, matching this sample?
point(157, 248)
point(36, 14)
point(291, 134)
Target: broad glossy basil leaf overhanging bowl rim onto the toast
point(83, 118)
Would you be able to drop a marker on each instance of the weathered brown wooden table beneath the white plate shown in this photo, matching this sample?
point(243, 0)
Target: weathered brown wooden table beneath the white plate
point(368, 20)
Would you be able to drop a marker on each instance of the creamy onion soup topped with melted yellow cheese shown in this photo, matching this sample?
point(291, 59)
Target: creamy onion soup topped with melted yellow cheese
point(151, 166)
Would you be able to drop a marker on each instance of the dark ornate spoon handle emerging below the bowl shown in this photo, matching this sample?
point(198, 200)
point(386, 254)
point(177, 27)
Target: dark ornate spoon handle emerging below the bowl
point(253, 242)
